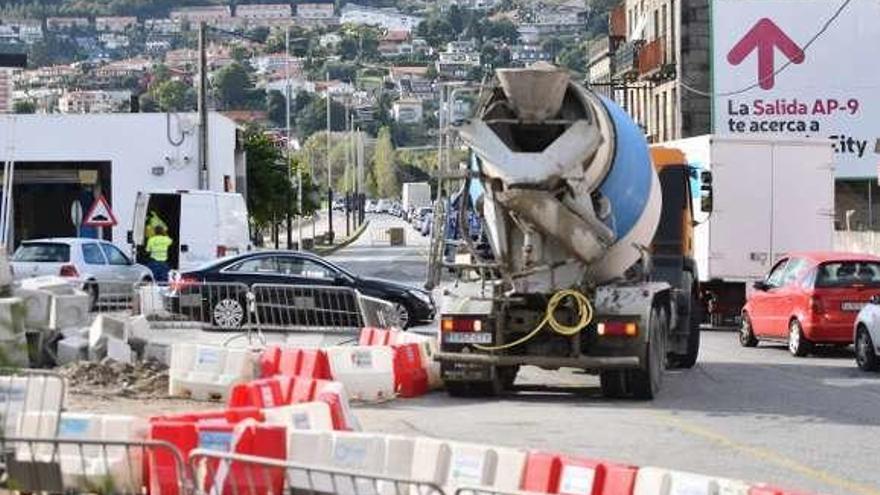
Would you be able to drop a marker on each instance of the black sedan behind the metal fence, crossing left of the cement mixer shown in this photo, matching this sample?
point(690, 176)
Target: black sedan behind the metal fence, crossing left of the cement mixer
point(283, 297)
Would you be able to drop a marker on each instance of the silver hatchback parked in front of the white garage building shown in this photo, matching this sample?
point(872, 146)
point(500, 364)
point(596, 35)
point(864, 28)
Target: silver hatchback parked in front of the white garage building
point(98, 267)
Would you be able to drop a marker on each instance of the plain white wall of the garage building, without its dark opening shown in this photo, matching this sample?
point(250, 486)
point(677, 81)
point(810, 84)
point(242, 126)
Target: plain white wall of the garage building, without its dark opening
point(133, 144)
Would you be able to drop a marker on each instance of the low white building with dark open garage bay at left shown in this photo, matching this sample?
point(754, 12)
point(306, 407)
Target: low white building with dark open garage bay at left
point(117, 155)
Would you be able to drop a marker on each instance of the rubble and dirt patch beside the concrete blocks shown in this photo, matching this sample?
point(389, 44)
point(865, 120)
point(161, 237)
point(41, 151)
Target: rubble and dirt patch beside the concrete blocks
point(108, 378)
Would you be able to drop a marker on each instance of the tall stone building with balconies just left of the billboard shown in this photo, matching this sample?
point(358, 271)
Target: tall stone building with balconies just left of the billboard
point(653, 47)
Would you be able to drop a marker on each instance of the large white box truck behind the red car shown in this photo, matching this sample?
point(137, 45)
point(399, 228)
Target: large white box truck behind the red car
point(770, 196)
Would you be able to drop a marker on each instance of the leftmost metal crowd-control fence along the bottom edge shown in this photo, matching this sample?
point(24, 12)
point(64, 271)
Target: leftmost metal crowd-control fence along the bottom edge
point(60, 465)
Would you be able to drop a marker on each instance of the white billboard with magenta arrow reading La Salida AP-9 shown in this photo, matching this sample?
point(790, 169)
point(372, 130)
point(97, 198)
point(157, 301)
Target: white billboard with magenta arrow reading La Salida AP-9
point(805, 68)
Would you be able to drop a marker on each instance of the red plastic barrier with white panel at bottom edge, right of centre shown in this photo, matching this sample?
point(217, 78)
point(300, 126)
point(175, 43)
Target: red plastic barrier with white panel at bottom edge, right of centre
point(559, 474)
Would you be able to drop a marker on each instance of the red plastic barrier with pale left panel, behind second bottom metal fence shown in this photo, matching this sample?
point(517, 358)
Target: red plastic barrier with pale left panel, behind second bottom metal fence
point(247, 438)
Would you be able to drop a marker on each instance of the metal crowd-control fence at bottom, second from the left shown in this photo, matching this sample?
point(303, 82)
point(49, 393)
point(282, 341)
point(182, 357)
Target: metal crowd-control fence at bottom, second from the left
point(219, 473)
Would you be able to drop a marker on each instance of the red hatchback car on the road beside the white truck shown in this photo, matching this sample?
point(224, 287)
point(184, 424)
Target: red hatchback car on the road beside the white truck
point(810, 298)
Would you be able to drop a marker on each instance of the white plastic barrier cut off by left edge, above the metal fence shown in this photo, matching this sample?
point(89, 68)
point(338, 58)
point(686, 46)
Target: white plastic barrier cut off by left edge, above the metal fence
point(30, 395)
